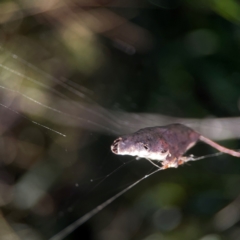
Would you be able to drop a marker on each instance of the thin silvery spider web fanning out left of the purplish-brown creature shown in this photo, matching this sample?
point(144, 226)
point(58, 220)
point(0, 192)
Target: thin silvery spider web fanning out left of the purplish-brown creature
point(44, 176)
